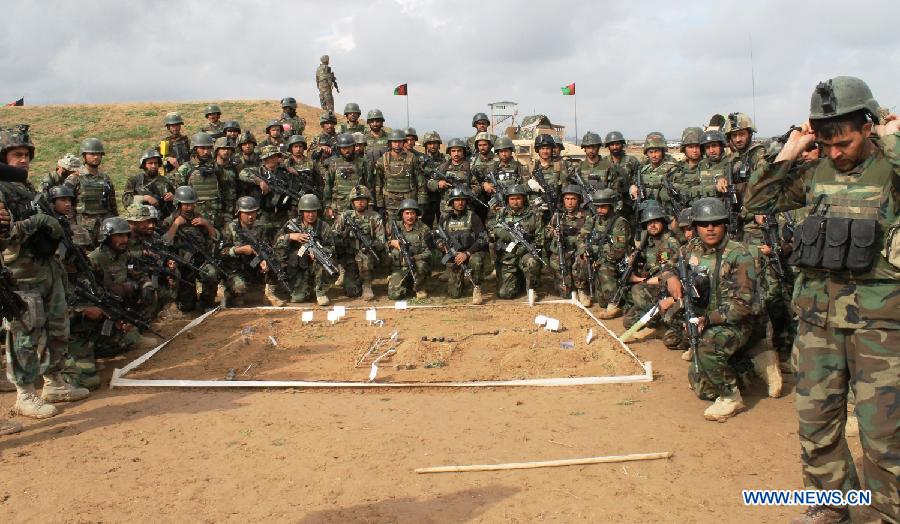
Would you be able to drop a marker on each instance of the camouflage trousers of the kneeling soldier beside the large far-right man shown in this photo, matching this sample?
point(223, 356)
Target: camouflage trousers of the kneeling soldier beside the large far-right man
point(718, 350)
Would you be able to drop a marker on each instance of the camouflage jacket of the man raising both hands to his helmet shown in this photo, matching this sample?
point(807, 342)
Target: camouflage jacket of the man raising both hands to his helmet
point(841, 299)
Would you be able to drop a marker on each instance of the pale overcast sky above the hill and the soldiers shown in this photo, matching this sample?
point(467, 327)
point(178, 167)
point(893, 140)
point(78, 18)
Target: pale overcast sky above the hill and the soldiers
point(638, 66)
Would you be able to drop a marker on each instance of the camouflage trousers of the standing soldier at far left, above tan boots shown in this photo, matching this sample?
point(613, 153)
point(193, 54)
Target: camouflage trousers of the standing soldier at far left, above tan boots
point(37, 345)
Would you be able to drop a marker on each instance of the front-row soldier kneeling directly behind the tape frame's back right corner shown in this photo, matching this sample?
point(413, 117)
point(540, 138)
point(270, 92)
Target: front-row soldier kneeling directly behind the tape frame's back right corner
point(567, 232)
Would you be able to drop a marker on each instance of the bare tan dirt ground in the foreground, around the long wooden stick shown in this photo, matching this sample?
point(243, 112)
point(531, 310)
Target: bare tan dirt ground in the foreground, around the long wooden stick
point(348, 456)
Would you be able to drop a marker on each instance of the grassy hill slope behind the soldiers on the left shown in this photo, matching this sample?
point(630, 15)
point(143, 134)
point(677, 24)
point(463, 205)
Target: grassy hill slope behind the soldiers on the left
point(127, 130)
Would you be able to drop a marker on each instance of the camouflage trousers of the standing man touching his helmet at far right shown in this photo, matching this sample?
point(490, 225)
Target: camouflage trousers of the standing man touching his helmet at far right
point(830, 363)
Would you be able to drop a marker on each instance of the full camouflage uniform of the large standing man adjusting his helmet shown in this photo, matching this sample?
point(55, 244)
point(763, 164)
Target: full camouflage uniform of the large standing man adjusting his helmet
point(849, 328)
